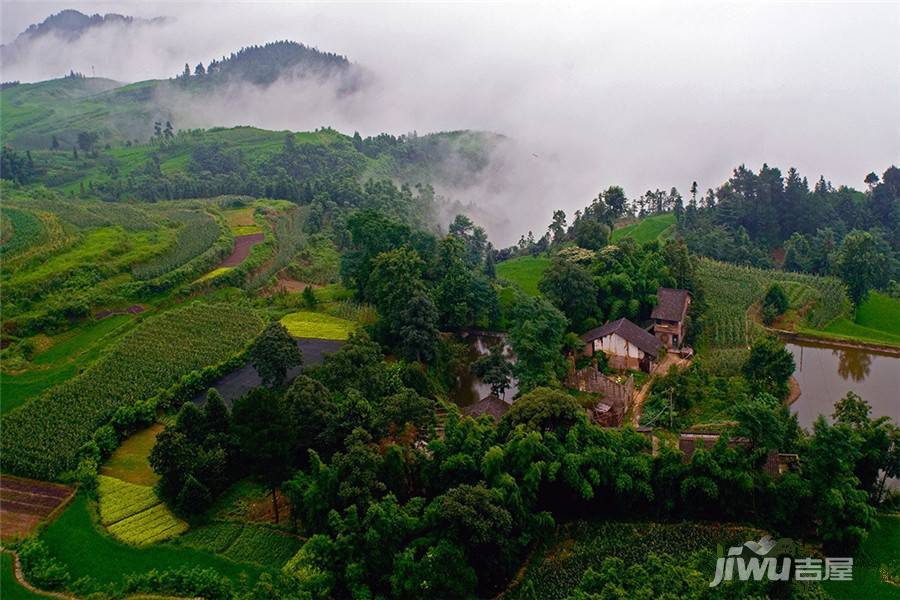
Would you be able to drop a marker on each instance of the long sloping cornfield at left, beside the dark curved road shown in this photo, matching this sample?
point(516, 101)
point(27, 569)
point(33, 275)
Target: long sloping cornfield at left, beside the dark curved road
point(41, 439)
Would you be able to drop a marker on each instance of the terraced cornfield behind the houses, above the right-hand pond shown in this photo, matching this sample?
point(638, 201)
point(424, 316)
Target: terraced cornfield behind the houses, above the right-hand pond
point(731, 290)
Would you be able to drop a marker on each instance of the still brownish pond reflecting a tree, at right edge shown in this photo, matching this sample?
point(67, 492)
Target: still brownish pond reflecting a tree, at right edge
point(826, 373)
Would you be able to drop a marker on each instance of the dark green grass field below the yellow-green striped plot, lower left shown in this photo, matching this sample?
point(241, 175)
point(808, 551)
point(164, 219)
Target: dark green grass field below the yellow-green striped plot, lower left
point(75, 540)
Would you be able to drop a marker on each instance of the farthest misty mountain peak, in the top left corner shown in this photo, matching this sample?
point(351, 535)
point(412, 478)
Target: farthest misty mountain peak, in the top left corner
point(68, 25)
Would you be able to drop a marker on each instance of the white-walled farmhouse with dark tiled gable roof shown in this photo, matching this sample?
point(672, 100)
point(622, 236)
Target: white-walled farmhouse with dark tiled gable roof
point(626, 345)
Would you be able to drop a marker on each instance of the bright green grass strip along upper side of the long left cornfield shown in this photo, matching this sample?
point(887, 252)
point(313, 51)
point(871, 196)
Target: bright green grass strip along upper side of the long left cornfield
point(68, 353)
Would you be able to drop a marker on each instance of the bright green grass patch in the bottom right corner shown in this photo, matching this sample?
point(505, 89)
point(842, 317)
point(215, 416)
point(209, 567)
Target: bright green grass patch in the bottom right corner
point(880, 549)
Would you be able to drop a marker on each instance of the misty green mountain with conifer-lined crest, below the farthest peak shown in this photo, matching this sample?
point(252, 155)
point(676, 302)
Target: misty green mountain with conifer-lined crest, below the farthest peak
point(35, 113)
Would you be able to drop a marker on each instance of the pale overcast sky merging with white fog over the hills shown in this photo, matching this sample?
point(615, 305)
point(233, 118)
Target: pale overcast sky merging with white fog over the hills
point(640, 94)
